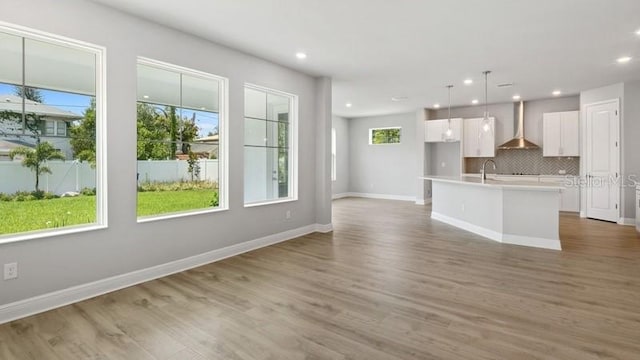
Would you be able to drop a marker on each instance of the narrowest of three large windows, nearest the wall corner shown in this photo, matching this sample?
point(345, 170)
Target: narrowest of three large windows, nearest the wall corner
point(270, 119)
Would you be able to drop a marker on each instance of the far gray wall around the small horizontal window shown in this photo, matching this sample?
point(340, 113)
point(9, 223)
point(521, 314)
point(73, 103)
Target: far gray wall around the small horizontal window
point(383, 169)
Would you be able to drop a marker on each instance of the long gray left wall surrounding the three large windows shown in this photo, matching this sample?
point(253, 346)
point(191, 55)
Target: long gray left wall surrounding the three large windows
point(59, 262)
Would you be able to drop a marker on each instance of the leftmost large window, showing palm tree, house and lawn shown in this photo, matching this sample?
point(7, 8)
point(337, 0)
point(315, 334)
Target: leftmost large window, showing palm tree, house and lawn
point(51, 129)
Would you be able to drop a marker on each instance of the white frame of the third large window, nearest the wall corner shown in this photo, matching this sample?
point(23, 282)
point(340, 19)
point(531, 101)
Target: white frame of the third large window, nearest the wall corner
point(293, 146)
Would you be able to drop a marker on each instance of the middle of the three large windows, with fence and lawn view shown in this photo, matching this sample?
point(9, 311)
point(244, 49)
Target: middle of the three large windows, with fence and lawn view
point(180, 122)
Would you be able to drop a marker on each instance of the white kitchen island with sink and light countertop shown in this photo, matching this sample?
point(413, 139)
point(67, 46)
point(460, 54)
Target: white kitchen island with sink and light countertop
point(512, 212)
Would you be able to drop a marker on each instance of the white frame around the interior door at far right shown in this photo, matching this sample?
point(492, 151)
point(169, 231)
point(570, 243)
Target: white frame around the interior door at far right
point(584, 152)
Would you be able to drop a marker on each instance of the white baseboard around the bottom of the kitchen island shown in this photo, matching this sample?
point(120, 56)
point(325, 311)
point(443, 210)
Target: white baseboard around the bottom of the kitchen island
point(553, 244)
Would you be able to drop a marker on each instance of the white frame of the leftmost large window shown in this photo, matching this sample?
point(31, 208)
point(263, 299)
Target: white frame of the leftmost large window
point(100, 53)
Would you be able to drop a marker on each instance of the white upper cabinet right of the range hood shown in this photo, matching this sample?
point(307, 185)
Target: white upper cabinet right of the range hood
point(561, 133)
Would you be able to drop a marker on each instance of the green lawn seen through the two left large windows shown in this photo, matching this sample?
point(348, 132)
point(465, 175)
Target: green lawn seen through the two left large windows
point(21, 216)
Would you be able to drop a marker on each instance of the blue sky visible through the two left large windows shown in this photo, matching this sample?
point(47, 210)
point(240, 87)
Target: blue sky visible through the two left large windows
point(75, 103)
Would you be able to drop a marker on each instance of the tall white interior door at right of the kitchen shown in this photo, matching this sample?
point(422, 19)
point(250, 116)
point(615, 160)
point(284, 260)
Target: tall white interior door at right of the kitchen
point(602, 160)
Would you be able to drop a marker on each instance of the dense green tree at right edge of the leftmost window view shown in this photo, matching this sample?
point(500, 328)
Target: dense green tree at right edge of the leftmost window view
point(83, 136)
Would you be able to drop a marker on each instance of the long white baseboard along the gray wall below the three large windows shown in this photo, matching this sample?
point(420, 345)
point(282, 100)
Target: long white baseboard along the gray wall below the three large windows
point(45, 302)
